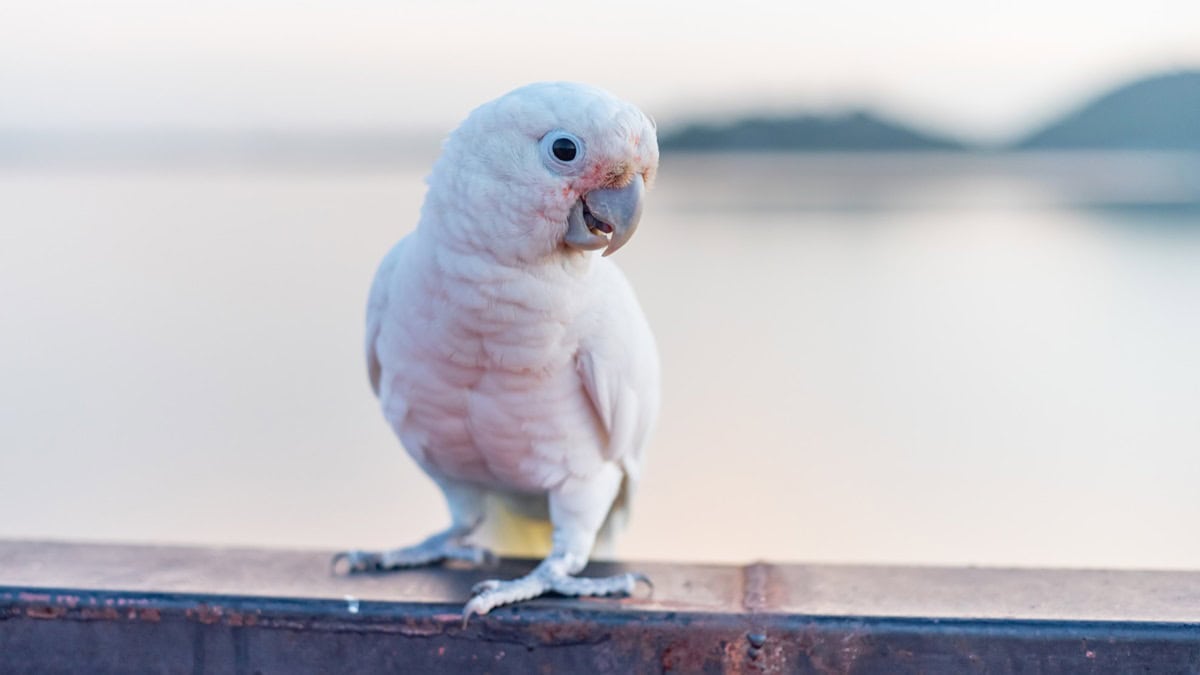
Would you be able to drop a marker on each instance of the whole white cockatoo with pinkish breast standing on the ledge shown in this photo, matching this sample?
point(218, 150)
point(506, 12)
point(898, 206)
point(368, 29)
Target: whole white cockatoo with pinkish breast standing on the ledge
point(509, 355)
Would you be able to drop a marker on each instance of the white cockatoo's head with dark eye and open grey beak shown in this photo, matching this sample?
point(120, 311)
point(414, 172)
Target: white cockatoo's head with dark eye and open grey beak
point(544, 169)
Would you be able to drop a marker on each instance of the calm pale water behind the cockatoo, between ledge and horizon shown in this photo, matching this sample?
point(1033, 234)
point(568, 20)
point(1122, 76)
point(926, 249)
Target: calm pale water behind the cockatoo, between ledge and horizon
point(873, 360)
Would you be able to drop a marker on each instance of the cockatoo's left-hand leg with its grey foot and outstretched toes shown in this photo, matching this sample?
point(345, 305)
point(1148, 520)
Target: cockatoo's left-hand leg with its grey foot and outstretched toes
point(466, 511)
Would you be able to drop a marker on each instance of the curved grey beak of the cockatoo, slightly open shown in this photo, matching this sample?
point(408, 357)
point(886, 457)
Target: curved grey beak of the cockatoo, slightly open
point(619, 210)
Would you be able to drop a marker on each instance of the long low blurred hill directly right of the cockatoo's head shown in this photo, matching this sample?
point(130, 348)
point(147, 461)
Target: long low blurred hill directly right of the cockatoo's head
point(854, 132)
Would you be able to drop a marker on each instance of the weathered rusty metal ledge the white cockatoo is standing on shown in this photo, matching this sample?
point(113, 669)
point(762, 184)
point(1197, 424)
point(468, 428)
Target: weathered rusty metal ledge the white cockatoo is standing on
point(75, 608)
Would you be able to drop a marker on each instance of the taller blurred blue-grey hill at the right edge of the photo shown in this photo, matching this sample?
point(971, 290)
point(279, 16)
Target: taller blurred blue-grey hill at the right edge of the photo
point(1157, 114)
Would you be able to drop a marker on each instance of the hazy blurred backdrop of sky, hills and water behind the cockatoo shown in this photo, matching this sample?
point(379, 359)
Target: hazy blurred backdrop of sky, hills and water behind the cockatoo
point(926, 278)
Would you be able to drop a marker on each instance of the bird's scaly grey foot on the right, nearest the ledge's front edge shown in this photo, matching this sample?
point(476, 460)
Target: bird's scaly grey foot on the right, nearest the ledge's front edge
point(491, 594)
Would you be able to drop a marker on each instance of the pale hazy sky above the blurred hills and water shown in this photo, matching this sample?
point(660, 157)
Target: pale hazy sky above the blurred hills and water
point(985, 70)
